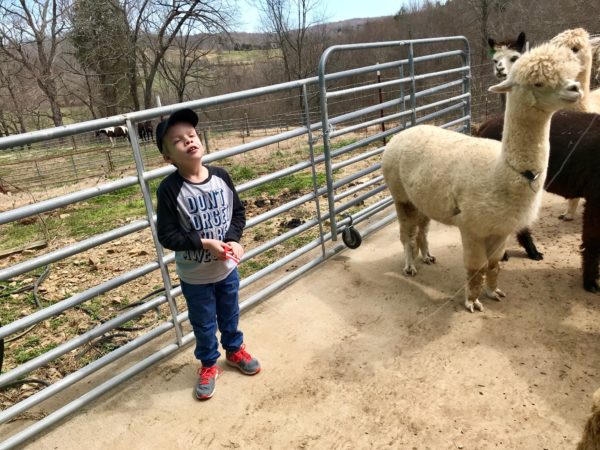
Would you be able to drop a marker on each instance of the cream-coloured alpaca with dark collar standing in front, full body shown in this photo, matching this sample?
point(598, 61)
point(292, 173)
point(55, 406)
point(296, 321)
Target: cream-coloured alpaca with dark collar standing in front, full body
point(484, 187)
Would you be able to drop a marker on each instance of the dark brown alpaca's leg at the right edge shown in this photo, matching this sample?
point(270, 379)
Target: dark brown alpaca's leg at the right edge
point(591, 245)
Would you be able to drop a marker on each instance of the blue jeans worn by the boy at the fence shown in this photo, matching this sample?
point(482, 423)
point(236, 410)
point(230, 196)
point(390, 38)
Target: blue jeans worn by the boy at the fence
point(209, 306)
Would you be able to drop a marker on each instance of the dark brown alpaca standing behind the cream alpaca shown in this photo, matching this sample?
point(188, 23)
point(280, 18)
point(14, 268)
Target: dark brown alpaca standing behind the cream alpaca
point(573, 171)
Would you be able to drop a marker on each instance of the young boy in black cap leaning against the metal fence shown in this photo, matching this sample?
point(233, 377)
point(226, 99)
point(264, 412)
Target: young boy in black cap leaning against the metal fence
point(201, 218)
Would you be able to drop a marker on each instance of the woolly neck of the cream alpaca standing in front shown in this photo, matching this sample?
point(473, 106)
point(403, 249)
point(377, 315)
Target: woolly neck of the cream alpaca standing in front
point(525, 142)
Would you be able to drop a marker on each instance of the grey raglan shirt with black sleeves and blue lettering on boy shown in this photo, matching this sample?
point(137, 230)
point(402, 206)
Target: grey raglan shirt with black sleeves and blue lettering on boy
point(188, 212)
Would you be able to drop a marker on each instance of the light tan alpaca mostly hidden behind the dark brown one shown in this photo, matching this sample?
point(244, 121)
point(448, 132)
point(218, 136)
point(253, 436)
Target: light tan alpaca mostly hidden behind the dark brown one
point(578, 41)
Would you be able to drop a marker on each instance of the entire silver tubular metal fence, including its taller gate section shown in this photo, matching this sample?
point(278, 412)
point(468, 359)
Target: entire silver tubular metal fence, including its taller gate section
point(410, 87)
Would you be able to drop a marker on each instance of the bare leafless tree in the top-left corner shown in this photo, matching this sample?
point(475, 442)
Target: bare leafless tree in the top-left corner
point(30, 33)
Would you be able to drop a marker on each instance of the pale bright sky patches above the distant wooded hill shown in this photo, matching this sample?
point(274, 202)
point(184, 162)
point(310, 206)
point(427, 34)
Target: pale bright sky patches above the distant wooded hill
point(335, 10)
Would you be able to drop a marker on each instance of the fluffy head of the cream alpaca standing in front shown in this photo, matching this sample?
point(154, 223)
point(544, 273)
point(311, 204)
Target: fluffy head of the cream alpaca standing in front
point(544, 79)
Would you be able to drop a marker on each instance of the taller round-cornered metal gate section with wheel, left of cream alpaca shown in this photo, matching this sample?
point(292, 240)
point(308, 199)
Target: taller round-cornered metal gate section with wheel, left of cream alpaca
point(417, 87)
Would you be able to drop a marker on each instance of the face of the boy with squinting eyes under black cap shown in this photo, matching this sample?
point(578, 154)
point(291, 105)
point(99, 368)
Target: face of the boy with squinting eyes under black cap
point(182, 145)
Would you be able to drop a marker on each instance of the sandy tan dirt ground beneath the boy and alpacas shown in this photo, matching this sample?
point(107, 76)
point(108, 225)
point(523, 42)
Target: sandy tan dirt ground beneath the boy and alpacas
point(355, 355)
